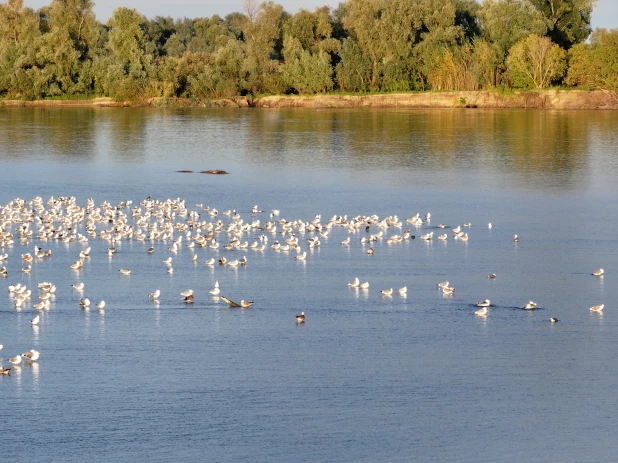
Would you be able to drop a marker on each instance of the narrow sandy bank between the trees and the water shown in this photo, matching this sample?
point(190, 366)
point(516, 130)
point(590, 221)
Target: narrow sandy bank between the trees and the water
point(539, 99)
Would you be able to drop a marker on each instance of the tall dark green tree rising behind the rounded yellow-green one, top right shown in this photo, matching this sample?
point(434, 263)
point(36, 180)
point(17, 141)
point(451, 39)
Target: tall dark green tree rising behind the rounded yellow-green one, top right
point(568, 21)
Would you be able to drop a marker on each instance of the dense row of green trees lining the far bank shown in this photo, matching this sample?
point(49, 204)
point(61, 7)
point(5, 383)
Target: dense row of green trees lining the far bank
point(376, 53)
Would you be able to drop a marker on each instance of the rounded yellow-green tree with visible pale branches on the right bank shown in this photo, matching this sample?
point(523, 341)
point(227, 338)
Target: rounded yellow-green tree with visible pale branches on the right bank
point(535, 62)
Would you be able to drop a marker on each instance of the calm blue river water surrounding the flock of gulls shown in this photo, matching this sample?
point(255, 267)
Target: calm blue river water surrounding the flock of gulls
point(366, 378)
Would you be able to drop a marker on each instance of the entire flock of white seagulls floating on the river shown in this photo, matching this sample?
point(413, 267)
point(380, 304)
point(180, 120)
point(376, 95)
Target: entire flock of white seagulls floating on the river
point(170, 222)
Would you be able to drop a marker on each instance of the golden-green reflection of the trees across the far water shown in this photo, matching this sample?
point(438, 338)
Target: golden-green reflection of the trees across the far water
point(555, 148)
